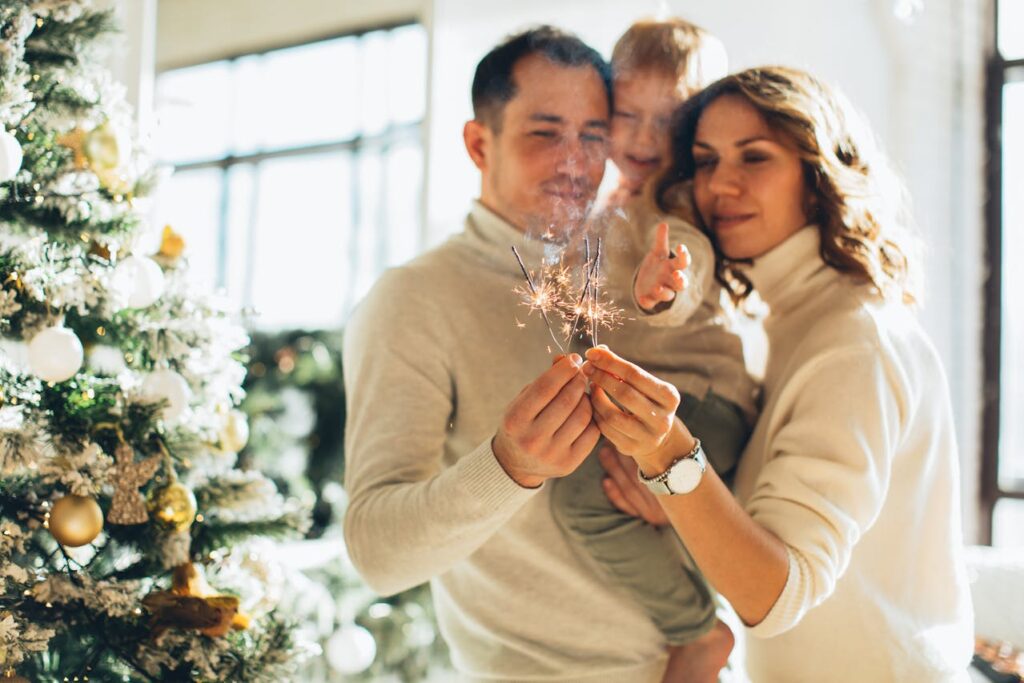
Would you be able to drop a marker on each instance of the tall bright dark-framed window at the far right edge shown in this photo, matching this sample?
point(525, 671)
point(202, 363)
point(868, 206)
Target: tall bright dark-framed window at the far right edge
point(1003, 457)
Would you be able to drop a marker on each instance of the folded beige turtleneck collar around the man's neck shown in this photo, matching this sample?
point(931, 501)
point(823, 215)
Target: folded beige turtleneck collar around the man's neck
point(495, 237)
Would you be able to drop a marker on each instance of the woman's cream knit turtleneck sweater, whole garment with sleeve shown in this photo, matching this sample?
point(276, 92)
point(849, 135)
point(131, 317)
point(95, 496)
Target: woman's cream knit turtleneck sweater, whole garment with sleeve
point(854, 465)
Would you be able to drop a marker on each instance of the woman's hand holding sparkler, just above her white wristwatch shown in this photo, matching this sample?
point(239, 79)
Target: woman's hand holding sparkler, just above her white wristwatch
point(645, 410)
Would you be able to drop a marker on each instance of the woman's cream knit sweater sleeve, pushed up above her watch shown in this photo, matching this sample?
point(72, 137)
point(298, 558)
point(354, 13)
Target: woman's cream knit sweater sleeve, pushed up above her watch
point(833, 438)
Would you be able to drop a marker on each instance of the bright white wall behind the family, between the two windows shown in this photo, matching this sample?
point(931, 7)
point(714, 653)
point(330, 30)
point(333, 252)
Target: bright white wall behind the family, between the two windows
point(919, 83)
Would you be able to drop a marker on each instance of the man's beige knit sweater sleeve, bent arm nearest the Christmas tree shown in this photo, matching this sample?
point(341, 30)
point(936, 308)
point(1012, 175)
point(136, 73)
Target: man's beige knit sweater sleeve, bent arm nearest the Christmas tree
point(411, 519)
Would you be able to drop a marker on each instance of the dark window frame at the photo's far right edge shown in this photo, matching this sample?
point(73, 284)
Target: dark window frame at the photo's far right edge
point(999, 73)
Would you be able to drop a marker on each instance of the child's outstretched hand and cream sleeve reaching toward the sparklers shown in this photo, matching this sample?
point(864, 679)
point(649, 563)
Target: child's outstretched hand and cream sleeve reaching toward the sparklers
point(670, 284)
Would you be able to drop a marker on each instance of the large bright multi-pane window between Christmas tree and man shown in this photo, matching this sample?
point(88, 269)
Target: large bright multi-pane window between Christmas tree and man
point(298, 172)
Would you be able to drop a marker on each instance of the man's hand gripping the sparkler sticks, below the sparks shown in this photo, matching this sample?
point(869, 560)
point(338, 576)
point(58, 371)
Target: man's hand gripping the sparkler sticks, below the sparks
point(548, 430)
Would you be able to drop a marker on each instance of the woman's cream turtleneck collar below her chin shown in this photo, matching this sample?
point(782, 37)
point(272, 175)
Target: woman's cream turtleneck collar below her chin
point(784, 275)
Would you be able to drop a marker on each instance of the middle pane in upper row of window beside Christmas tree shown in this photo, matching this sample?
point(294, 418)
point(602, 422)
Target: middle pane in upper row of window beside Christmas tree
point(297, 97)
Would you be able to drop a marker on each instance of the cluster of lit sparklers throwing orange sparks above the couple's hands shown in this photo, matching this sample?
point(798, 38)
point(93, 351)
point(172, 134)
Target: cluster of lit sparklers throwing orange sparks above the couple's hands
point(554, 292)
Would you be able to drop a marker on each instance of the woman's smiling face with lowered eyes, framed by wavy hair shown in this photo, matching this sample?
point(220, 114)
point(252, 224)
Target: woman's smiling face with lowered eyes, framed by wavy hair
point(749, 183)
